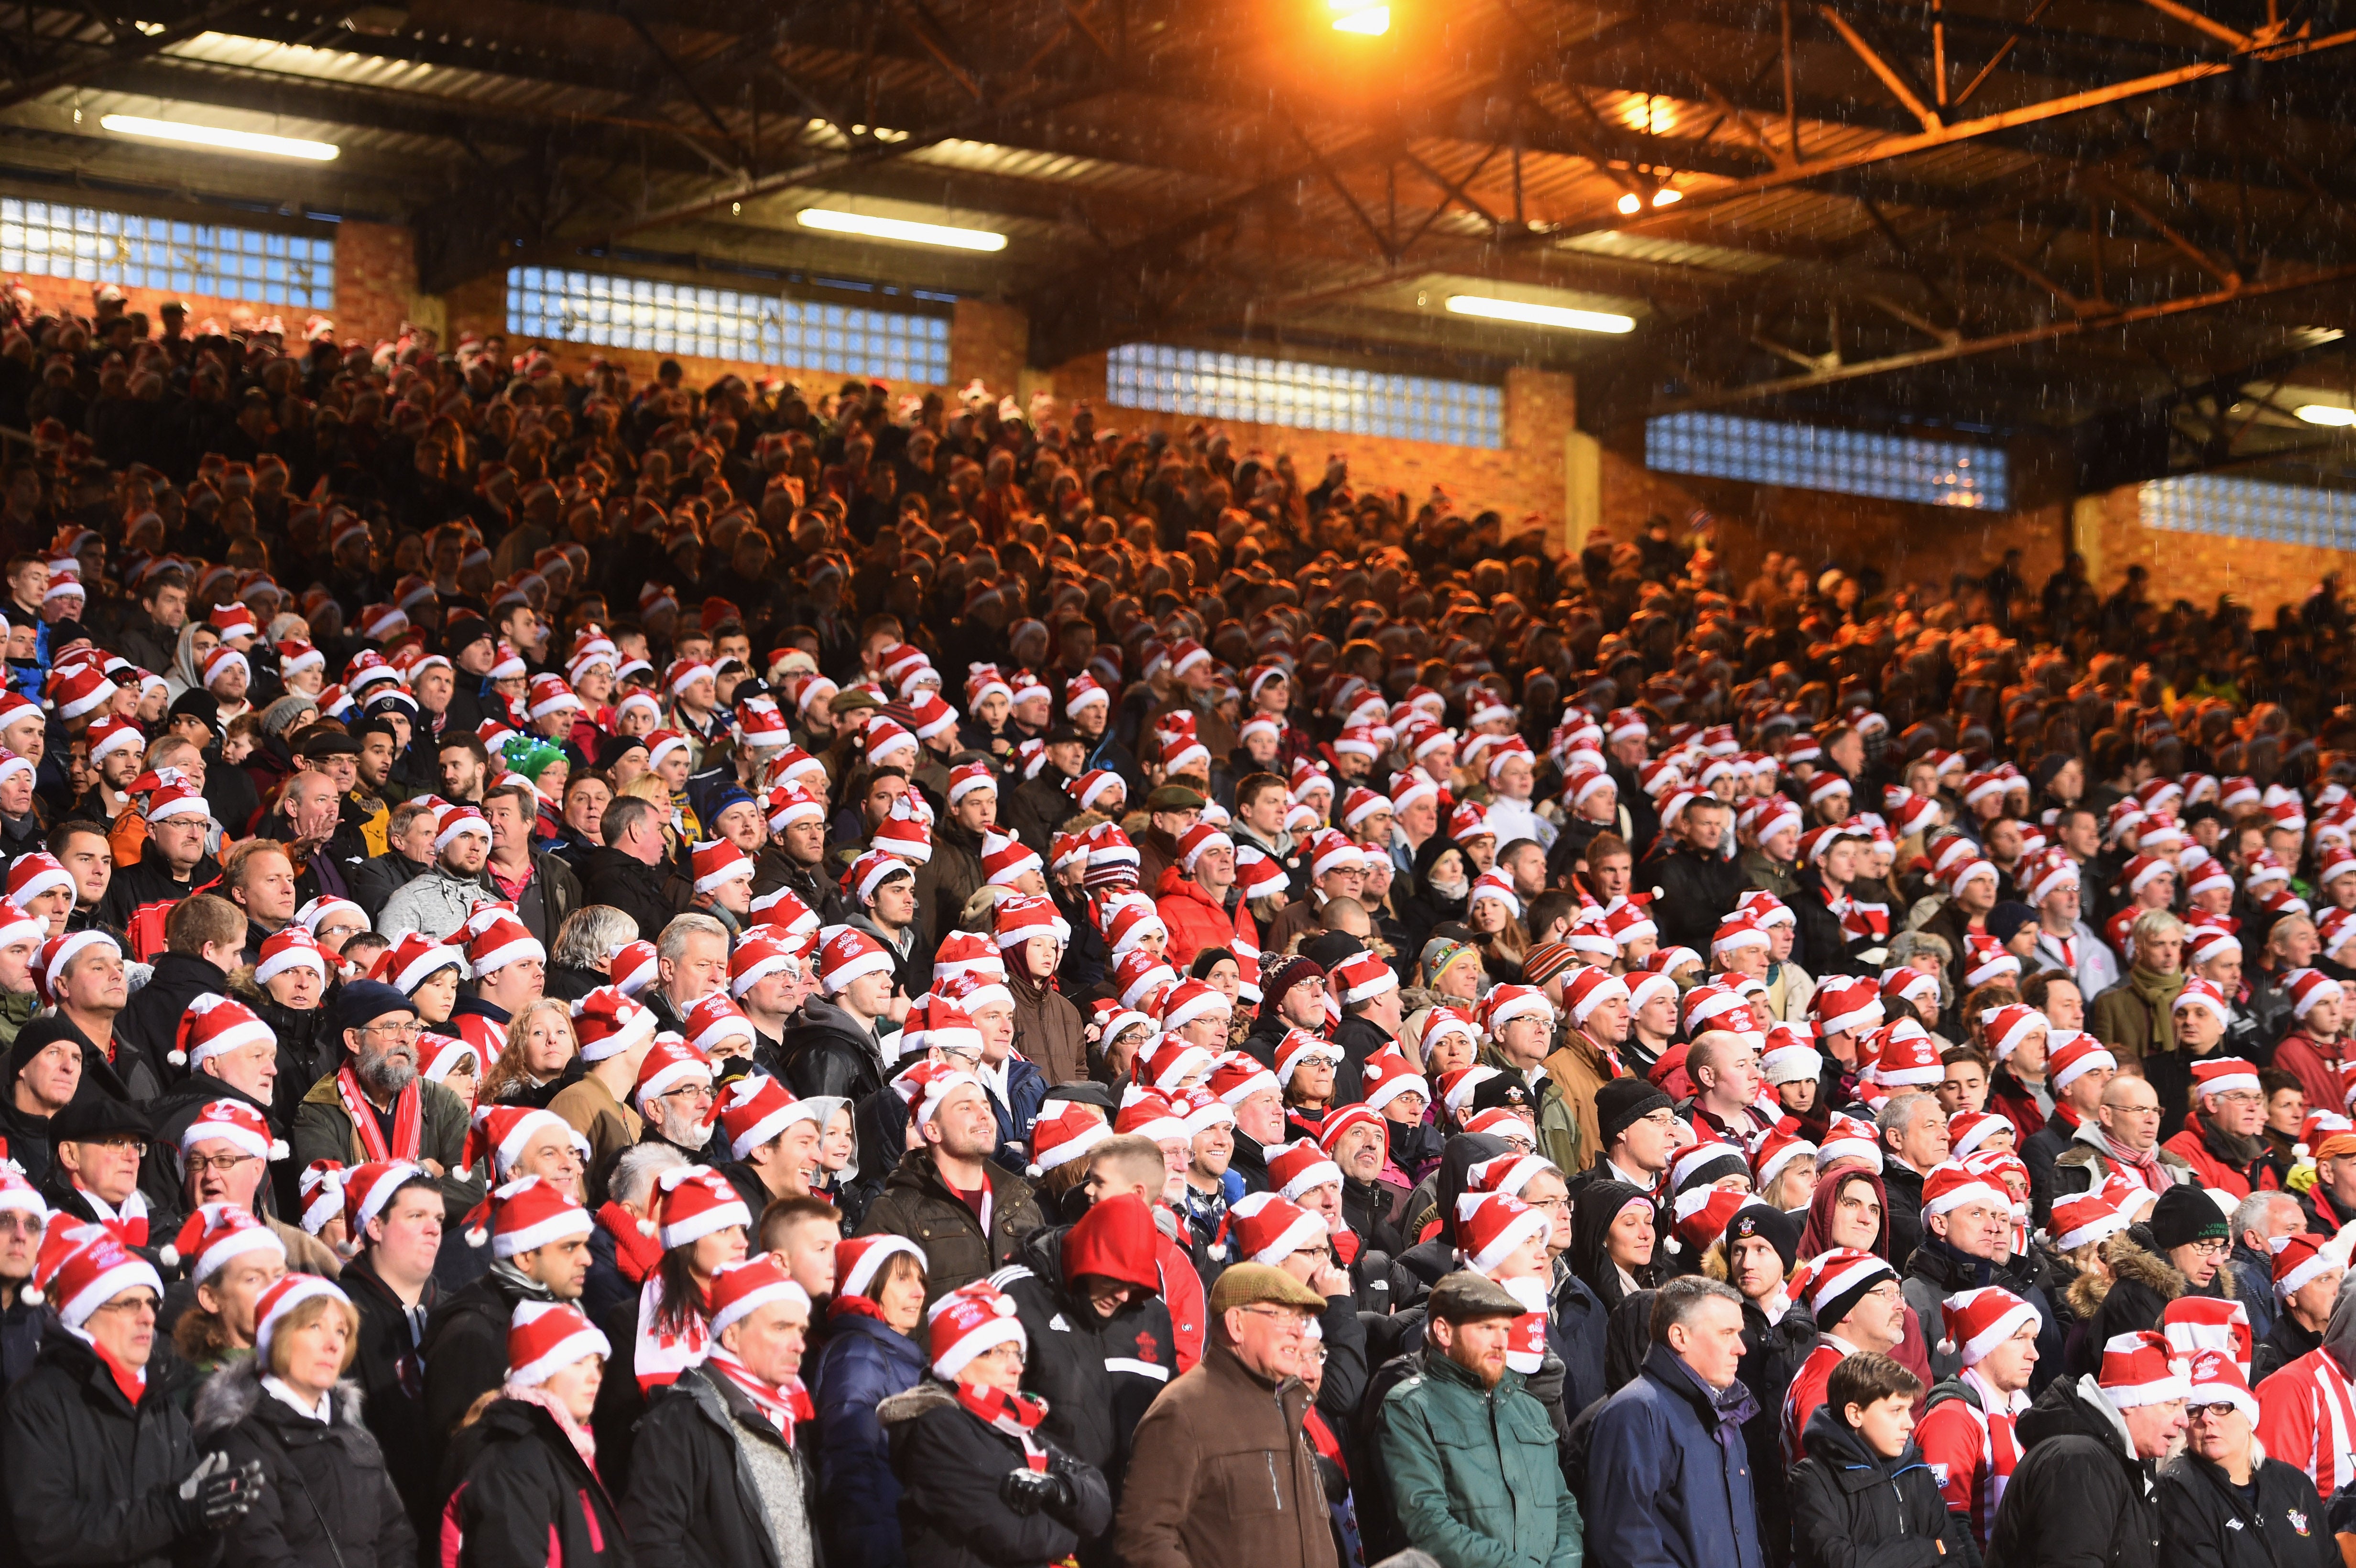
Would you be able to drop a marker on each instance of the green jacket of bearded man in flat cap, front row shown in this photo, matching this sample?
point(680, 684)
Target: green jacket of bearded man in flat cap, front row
point(1474, 1473)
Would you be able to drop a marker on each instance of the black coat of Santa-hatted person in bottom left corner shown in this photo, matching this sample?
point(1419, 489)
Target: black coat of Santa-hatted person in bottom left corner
point(93, 1482)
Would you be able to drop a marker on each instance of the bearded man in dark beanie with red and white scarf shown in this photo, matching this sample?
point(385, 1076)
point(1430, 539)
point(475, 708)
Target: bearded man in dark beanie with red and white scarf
point(378, 1108)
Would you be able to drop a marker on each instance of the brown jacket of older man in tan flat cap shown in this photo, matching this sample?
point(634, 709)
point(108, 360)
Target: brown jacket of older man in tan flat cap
point(1231, 1480)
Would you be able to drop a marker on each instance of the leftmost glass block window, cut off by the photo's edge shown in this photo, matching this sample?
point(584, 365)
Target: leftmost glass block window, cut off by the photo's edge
point(147, 253)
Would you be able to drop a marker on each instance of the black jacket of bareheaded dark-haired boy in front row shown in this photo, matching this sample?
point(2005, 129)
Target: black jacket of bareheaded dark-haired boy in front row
point(1853, 1508)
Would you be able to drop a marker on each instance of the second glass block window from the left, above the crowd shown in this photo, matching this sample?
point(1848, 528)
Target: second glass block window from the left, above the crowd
point(727, 326)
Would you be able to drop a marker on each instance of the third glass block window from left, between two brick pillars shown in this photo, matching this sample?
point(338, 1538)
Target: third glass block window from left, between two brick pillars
point(1304, 397)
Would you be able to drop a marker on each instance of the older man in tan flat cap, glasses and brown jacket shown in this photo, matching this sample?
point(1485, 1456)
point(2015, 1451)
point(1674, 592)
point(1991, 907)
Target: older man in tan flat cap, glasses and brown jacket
point(1233, 1480)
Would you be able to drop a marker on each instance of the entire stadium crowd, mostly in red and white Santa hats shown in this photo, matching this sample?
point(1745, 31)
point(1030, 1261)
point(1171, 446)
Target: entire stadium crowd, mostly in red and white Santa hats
point(616, 974)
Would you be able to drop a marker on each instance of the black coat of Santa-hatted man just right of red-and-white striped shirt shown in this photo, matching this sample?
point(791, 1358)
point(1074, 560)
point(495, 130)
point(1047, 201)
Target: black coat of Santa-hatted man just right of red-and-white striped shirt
point(2079, 1496)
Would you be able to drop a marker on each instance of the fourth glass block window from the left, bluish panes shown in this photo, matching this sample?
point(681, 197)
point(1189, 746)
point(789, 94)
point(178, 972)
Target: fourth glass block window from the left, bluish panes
point(1822, 458)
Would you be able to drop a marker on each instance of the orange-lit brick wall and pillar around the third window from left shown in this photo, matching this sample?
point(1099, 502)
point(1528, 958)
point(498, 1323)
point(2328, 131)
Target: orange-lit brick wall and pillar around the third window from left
point(1521, 479)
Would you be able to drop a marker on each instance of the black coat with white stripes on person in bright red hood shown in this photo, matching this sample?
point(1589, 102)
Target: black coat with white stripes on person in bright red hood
point(1094, 1374)
